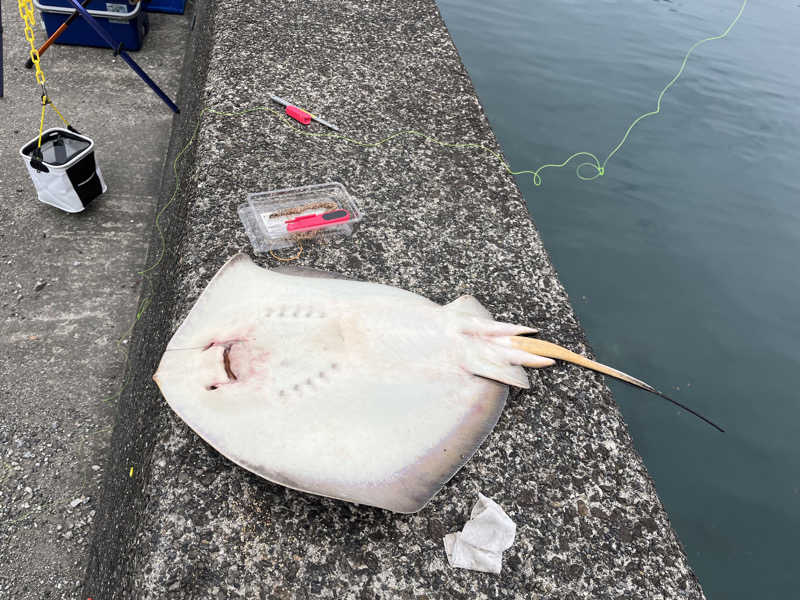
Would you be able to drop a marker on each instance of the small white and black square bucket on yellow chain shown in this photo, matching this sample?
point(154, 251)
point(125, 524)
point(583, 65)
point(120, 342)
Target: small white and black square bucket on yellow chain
point(67, 176)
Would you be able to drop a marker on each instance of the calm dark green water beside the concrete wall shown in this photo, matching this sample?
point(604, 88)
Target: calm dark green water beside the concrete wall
point(682, 262)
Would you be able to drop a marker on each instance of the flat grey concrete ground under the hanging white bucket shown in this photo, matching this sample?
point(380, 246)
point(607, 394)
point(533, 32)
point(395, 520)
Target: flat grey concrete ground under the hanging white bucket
point(68, 291)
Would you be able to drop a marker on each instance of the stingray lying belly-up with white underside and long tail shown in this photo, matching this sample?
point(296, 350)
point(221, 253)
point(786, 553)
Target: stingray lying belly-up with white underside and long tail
point(358, 391)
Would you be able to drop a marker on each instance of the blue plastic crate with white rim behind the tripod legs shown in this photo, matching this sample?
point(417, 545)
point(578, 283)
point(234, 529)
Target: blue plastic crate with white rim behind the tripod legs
point(127, 23)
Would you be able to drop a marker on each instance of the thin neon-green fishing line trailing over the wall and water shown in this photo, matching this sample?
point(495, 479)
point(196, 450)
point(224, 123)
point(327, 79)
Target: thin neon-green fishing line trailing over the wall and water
point(595, 164)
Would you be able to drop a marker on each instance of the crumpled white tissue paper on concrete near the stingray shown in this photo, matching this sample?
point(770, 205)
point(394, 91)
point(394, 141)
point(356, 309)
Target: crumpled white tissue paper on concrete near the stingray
point(480, 544)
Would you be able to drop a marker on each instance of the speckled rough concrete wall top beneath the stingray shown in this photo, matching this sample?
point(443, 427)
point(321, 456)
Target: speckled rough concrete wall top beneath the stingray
point(439, 222)
